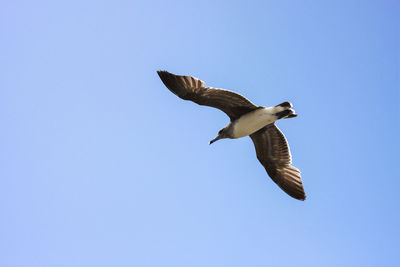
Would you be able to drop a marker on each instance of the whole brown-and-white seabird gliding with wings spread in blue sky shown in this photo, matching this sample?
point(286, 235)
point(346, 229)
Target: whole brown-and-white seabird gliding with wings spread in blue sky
point(246, 119)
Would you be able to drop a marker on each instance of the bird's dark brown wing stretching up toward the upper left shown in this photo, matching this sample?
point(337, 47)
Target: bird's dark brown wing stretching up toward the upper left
point(189, 88)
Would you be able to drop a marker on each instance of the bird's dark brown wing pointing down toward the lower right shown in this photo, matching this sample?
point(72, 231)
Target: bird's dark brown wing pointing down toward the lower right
point(274, 154)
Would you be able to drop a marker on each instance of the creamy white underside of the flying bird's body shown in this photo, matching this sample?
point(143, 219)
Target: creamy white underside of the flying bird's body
point(253, 121)
